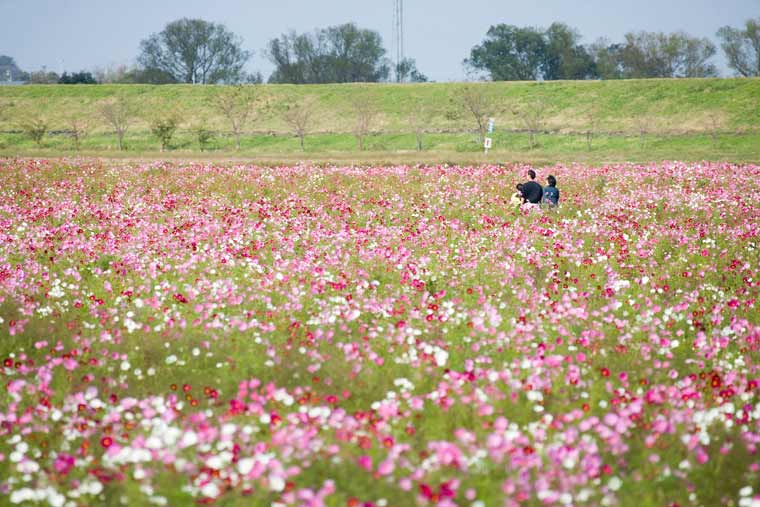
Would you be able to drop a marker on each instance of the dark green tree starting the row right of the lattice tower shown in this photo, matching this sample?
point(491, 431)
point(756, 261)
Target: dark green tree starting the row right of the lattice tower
point(510, 53)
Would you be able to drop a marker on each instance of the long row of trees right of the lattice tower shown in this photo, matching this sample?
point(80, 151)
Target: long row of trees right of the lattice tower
point(511, 53)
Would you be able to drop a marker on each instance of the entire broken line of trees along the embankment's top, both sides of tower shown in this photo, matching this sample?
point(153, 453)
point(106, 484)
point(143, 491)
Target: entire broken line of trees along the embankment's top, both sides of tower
point(200, 52)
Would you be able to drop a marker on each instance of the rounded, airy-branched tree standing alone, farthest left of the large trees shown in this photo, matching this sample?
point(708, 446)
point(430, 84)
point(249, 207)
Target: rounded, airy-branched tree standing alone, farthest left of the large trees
point(195, 51)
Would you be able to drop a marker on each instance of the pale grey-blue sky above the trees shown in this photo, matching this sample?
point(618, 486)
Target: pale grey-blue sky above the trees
point(78, 35)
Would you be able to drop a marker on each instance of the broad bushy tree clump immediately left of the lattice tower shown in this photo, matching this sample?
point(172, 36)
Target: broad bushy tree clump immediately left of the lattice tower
point(337, 54)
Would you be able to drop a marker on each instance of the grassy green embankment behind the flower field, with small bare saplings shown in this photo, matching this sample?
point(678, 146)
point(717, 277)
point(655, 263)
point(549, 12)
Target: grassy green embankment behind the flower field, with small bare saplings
point(637, 120)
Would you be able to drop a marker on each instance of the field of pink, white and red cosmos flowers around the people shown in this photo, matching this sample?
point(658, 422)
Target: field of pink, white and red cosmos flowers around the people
point(378, 336)
